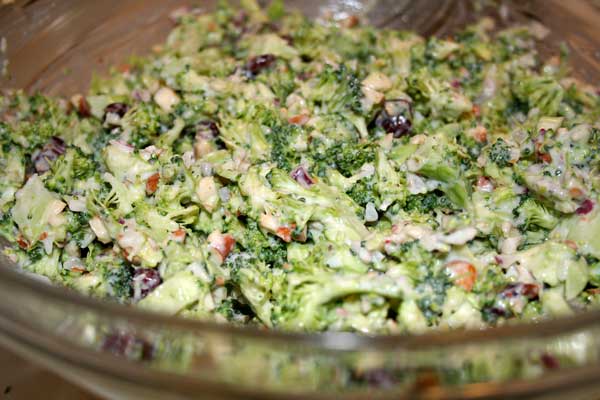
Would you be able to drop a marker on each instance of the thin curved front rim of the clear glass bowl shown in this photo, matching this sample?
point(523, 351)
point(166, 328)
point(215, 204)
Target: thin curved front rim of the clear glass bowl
point(326, 340)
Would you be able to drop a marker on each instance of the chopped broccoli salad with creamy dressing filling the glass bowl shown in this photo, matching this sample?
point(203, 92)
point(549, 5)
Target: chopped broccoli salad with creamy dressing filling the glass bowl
point(262, 168)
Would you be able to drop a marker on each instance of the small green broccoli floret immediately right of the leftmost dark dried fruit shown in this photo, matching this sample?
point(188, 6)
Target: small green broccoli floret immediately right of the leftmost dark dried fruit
point(71, 166)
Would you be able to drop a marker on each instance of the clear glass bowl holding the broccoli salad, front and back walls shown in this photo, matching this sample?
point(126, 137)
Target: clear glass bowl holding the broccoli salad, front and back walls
point(119, 352)
